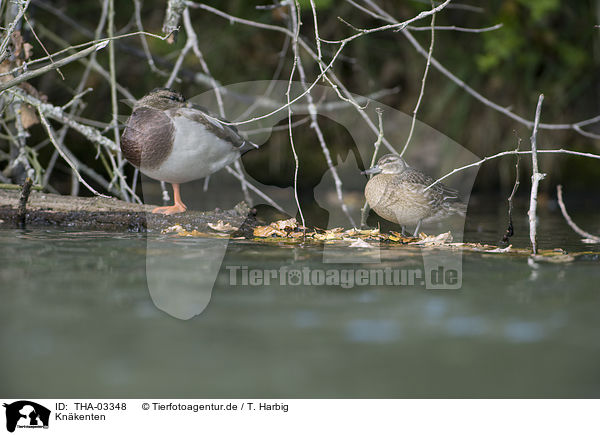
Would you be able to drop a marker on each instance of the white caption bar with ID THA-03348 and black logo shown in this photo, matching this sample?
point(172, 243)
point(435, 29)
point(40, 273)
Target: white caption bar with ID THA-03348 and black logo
point(262, 416)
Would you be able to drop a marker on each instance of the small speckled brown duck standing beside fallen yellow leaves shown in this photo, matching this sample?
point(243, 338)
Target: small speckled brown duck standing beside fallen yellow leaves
point(397, 193)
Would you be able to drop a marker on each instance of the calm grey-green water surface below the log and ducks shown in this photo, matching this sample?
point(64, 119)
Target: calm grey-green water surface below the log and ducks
point(77, 320)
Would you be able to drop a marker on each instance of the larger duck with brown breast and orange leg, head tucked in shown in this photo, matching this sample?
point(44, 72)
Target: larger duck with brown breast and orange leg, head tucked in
point(172, 140)
